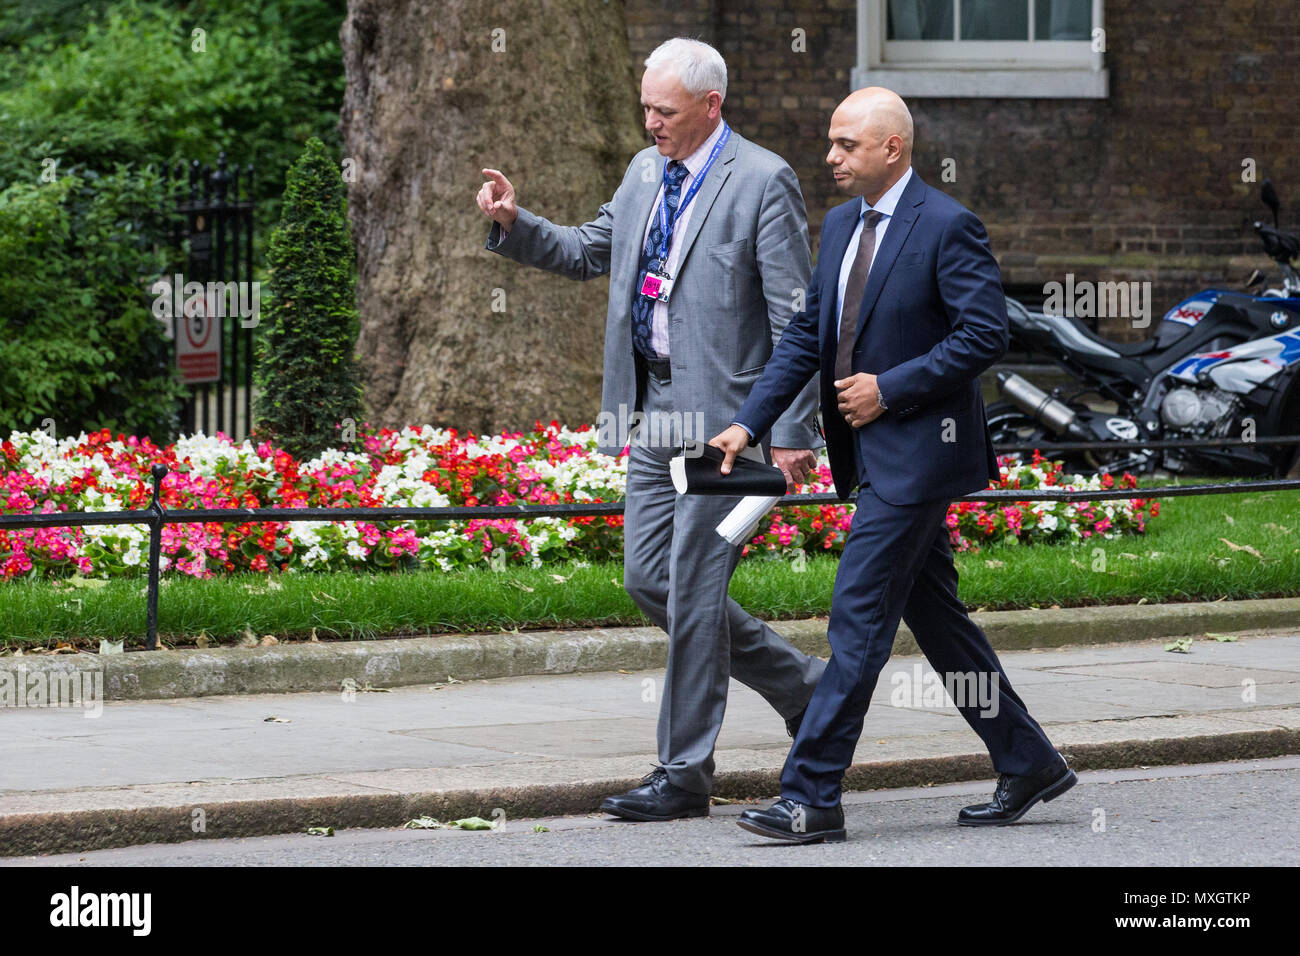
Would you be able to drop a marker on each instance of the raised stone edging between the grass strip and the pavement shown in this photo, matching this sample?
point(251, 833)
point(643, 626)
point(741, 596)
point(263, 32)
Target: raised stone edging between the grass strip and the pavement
point(300, 668)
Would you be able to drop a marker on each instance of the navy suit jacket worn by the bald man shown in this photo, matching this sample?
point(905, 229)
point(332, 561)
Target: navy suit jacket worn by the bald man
point(933, 319)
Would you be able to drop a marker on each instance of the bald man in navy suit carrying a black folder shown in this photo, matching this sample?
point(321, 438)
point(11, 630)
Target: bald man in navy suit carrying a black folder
point(904, 312)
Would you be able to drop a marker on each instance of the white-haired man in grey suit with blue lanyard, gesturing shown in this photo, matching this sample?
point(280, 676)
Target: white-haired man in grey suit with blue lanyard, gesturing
point(707, 248)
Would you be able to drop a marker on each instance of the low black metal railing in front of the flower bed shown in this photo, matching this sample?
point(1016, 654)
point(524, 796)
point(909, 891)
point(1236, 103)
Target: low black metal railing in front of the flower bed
point(155, 516)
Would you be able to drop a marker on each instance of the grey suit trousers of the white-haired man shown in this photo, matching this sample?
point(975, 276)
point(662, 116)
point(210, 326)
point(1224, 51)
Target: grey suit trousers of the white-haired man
point(677, 569)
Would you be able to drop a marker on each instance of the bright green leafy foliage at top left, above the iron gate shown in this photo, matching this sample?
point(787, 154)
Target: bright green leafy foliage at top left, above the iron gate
point(151, 83)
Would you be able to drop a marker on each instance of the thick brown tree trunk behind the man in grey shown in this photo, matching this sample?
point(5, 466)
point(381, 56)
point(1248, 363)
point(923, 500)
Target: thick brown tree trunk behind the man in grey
point(453, 335)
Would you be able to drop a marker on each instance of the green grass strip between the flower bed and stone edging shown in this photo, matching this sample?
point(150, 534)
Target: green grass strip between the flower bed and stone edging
point(1199, 548)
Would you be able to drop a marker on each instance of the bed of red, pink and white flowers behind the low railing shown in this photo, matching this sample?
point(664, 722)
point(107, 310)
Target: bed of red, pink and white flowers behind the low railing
point(415, 468)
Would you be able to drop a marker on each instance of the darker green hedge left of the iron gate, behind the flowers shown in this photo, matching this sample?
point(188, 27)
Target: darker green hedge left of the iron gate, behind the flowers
point(79, 341)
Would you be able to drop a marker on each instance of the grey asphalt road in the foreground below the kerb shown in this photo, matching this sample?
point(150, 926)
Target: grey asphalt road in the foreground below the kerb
point(1238, 814)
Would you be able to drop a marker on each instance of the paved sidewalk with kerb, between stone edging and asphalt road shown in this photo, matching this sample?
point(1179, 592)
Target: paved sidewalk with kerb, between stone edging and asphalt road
point(218, 767)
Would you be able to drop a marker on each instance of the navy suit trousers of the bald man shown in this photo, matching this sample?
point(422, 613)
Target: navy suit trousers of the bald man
point(898, 565)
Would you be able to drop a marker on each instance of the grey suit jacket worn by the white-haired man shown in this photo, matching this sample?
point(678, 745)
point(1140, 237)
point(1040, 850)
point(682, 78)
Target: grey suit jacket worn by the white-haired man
point(742, 275)
